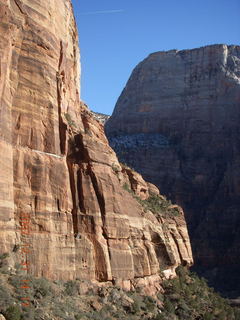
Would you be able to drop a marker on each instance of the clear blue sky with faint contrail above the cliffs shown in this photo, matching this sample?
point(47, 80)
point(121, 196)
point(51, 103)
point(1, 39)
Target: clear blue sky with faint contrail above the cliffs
point(113, 43)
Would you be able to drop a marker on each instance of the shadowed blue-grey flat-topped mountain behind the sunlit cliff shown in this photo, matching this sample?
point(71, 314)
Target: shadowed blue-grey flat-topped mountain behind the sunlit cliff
point(177, 122)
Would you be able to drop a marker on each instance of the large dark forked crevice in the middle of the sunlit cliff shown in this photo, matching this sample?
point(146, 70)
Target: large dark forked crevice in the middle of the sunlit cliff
point(78, 156)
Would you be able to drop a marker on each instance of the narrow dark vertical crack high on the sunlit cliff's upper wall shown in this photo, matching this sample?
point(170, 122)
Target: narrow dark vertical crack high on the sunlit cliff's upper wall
point(62, 125)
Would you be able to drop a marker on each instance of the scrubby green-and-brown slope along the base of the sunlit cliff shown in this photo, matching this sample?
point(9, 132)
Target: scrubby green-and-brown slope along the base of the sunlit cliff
point(186, 297)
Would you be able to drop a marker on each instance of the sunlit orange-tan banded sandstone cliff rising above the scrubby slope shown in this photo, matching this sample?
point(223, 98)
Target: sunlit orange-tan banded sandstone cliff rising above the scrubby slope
point(59, 173)
